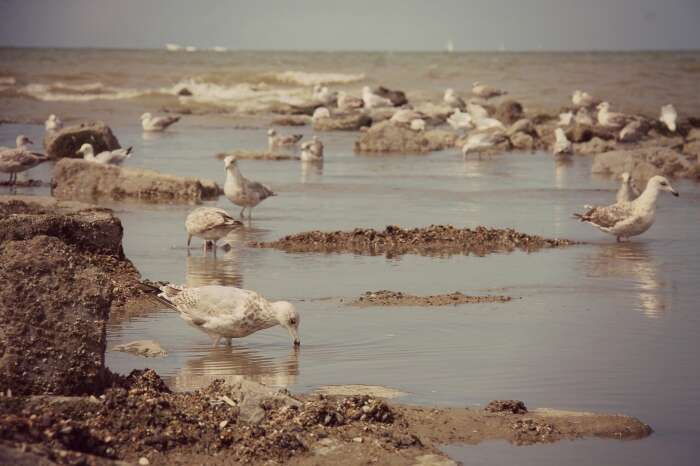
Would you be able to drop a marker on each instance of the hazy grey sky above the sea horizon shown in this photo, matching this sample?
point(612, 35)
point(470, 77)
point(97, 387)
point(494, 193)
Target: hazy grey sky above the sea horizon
point(354, 24)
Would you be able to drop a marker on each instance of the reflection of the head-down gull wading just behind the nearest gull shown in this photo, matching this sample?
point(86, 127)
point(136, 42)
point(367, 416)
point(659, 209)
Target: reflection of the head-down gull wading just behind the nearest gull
point(223, 269)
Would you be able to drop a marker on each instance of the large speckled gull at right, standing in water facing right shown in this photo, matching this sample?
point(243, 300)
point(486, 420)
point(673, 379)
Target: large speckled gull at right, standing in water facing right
point(627, 219)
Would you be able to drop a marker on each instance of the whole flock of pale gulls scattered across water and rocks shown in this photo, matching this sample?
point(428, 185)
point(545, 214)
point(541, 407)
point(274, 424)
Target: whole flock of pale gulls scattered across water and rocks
point(229, 312)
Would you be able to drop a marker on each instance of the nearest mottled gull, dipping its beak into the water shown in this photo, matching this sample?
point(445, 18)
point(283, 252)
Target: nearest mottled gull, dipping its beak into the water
point(229, 312)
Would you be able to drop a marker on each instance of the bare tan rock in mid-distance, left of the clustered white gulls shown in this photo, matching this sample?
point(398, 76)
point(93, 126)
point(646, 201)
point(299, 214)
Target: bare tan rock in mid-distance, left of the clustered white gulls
point(386, 137)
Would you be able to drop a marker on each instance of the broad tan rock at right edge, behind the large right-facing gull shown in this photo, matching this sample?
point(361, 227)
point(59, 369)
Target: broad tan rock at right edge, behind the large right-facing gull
point(643, 163)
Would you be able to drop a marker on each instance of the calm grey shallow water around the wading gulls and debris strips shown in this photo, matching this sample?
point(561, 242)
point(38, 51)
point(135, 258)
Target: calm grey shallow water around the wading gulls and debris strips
point(598, 327)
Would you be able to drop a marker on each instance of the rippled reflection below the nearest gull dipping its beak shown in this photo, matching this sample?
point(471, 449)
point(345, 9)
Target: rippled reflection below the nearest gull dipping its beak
point(233, 364)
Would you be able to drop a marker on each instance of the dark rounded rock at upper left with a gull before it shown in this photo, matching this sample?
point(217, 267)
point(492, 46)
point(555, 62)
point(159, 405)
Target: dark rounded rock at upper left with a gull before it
point(65, 143)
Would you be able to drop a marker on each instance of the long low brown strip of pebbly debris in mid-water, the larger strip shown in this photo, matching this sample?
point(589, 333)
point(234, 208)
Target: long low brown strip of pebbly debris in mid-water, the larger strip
point(432, 240)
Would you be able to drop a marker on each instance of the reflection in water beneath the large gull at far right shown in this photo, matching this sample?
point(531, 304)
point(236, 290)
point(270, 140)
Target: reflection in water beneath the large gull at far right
point(633, 261)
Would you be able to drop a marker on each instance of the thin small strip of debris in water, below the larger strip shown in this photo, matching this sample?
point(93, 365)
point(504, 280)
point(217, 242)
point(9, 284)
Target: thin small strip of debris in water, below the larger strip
point(397, 298)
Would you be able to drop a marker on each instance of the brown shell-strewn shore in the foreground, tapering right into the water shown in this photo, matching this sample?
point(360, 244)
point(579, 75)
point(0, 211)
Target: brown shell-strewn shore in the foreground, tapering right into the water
point(138, 417)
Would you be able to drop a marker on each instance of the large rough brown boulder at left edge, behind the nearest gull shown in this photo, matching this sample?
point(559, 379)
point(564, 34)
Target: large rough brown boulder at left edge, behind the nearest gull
point(62, 270)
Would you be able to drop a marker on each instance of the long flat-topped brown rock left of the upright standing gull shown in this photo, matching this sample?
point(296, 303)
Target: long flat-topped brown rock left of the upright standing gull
point(79, 179)
